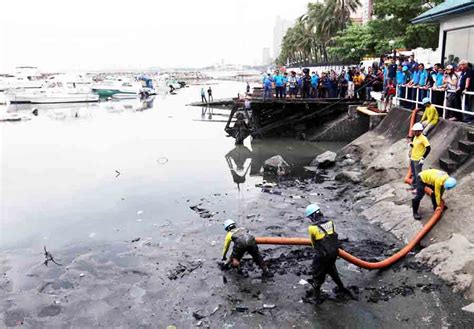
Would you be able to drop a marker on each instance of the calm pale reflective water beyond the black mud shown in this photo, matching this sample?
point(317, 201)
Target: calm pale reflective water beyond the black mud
point(114, 170)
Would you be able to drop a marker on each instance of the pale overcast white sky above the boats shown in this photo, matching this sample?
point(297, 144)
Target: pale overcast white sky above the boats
point(65, 35)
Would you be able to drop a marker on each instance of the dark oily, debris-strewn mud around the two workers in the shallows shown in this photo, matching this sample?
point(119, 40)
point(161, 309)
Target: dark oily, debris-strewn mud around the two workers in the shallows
point(173, 277)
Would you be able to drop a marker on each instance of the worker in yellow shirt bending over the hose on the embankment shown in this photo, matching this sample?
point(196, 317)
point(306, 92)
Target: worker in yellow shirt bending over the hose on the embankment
point(438, 181)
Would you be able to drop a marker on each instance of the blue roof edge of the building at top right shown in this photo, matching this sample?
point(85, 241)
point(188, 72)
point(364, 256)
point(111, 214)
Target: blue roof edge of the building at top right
point(449, 7)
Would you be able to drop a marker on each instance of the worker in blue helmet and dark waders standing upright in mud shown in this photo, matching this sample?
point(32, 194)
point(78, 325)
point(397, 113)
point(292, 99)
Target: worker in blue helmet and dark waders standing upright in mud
point(325, 242)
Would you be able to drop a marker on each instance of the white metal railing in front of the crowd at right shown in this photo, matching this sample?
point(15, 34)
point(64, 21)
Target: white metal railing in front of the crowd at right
point(429, 93)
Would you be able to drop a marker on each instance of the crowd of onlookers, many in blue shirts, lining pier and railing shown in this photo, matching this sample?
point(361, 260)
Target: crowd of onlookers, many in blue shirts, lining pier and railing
point(415, 81)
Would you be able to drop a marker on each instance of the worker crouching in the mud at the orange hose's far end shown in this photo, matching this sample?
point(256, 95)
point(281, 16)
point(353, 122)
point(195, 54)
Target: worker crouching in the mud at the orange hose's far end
point(243, 242)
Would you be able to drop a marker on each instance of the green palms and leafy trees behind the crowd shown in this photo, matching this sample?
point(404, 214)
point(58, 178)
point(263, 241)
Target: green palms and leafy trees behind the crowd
point(325, 32)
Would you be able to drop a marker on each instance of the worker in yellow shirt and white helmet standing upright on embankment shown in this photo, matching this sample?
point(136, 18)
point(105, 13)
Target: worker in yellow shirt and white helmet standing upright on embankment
point(420, 150)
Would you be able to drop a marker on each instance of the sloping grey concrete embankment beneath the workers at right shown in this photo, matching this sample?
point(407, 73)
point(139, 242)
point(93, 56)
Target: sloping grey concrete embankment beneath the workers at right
point(380, 164)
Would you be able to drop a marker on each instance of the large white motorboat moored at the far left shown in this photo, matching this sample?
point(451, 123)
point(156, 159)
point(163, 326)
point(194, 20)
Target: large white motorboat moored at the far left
point(59, 89)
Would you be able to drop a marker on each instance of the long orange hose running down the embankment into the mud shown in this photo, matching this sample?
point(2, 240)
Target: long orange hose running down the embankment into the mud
point(357, 261)
